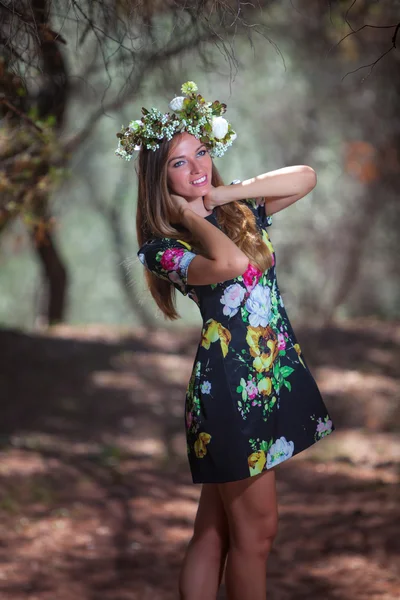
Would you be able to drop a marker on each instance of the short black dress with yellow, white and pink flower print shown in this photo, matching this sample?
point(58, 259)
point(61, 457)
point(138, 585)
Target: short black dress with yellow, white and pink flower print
point(251, 401)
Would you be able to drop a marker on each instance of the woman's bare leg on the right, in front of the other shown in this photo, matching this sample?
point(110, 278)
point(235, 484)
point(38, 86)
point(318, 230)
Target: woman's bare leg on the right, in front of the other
point(252, 514)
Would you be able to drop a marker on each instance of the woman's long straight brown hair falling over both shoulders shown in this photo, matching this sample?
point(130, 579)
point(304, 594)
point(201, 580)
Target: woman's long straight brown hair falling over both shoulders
point(152, 220)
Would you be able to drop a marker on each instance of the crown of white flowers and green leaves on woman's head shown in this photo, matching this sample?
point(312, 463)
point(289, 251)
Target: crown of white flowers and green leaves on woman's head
point(191, 113)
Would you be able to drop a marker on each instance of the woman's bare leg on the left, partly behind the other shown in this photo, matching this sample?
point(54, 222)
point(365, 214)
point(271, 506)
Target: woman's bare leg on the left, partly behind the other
point(204, 561)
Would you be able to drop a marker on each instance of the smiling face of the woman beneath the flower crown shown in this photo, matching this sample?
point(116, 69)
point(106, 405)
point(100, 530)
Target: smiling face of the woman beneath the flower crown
point(189, 167)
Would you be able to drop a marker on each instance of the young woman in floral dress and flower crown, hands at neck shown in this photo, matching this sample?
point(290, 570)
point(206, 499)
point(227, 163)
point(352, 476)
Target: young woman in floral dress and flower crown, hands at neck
point(251, 402)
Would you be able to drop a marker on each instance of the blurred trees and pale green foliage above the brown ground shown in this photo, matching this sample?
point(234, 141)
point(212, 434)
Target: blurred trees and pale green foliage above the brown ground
point(307, 84)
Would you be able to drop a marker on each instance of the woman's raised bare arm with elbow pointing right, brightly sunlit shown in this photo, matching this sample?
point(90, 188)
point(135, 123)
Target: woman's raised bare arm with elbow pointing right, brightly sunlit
point(280, 188)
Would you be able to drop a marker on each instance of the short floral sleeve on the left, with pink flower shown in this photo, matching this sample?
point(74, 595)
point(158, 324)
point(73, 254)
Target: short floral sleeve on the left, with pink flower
point(168, 259)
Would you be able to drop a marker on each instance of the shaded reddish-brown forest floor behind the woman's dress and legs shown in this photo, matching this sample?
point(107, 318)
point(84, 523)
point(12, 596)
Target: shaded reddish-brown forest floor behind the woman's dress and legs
point(96, 499)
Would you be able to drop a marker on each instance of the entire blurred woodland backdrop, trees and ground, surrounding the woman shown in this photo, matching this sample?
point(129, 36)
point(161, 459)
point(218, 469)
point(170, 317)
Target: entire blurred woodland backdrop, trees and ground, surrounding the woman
point(95, 493)
